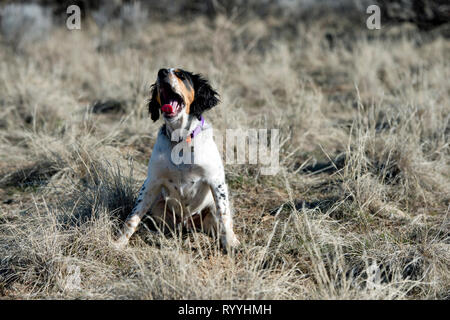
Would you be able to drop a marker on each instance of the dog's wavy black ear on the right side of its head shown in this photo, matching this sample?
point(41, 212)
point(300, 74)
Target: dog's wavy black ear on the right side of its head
point(205, 96)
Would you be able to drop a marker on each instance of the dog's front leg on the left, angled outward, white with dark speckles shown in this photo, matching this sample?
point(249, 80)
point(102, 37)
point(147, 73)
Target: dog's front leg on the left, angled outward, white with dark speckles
point(147, 196)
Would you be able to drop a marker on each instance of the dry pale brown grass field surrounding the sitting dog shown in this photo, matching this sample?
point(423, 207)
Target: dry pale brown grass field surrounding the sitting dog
point(358, 210)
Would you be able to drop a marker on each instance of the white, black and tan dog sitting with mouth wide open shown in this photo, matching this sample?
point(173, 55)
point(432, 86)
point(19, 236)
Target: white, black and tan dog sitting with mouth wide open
point(191, 194)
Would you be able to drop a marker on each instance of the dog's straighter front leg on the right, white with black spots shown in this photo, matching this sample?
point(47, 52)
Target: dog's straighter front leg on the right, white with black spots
point(223, 214)
